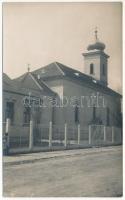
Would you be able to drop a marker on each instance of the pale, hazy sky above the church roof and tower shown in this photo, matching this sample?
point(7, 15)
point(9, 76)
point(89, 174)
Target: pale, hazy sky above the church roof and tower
point(41, 33)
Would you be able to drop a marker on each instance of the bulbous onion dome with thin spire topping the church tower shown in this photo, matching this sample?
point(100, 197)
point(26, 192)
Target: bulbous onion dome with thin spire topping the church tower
point(97, 45)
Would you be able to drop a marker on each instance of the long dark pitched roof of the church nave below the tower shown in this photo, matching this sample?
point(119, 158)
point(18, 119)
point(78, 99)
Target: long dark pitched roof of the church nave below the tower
point(60, 70)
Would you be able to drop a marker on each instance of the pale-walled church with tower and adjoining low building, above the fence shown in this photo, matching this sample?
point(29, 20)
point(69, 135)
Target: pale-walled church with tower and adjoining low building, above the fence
point(64, 95)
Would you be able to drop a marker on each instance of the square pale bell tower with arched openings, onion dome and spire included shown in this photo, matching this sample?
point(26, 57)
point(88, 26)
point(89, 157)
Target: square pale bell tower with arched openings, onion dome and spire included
point(96, 61)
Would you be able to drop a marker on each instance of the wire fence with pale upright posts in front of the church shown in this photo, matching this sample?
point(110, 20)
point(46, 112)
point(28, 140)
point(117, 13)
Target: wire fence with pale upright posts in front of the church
point(67, 135)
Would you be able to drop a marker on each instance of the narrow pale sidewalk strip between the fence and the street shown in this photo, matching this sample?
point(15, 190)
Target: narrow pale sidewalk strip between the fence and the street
point(34, 157)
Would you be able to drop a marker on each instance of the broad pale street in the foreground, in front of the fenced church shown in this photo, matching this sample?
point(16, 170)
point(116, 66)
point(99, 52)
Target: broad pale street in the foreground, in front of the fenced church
point(78, 173)
